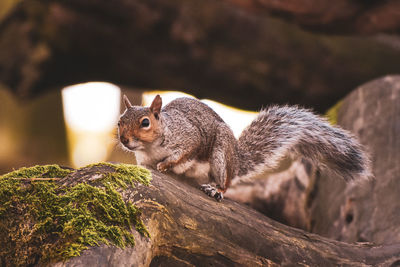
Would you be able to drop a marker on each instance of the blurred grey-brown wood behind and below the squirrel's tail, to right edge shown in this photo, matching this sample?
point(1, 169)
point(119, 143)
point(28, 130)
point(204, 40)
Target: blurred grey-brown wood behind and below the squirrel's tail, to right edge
point(316, 201)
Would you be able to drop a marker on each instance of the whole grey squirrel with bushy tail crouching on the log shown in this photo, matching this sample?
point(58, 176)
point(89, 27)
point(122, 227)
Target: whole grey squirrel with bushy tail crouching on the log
point(188, 137)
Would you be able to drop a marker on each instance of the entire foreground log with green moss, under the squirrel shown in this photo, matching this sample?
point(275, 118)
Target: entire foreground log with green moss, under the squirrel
point(186, 228)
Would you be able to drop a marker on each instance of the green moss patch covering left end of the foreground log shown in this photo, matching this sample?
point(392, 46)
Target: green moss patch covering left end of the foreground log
point(42, 222)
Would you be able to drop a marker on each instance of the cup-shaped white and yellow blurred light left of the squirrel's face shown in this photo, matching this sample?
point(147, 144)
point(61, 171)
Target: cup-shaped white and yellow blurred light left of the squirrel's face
point(91, 112)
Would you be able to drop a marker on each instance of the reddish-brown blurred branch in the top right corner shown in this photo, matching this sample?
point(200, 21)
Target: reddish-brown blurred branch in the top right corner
point(339, 17)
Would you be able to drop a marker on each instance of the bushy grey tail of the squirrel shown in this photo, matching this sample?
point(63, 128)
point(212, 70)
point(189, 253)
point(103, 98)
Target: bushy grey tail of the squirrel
point(279, 132)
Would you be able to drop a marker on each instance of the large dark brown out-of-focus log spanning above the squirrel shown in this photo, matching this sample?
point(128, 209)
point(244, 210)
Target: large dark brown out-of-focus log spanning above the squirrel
point(208, 48)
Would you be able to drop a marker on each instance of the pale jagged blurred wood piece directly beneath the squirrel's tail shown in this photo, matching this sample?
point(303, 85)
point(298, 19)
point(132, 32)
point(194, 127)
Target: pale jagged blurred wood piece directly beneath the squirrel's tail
point(282, 196)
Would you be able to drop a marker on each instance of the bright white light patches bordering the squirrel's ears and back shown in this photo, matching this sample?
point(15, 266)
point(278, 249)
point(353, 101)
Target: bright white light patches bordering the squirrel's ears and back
point(237, 119)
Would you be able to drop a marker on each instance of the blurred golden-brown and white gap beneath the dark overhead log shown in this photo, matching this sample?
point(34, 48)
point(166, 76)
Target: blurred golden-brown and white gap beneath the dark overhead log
point(77, 125)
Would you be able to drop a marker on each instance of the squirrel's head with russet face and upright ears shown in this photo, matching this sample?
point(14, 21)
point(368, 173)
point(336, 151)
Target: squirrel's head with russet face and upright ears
point(138, 125)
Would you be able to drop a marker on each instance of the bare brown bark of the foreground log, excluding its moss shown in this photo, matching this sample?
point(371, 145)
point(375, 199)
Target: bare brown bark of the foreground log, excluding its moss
point(188, 228)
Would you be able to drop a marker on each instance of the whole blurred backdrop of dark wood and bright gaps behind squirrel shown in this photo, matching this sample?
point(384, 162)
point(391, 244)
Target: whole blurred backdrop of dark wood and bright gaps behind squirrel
point(64, 65)
